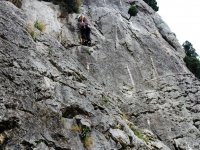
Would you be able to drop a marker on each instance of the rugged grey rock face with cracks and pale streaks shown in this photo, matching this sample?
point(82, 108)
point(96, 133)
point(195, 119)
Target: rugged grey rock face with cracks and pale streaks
point(131, 90)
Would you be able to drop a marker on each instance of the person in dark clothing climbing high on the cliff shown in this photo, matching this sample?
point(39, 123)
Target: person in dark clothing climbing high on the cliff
point(84, 31)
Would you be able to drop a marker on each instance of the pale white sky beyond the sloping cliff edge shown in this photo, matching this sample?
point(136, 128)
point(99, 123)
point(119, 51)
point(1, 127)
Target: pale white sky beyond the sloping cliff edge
point(183, 18)
